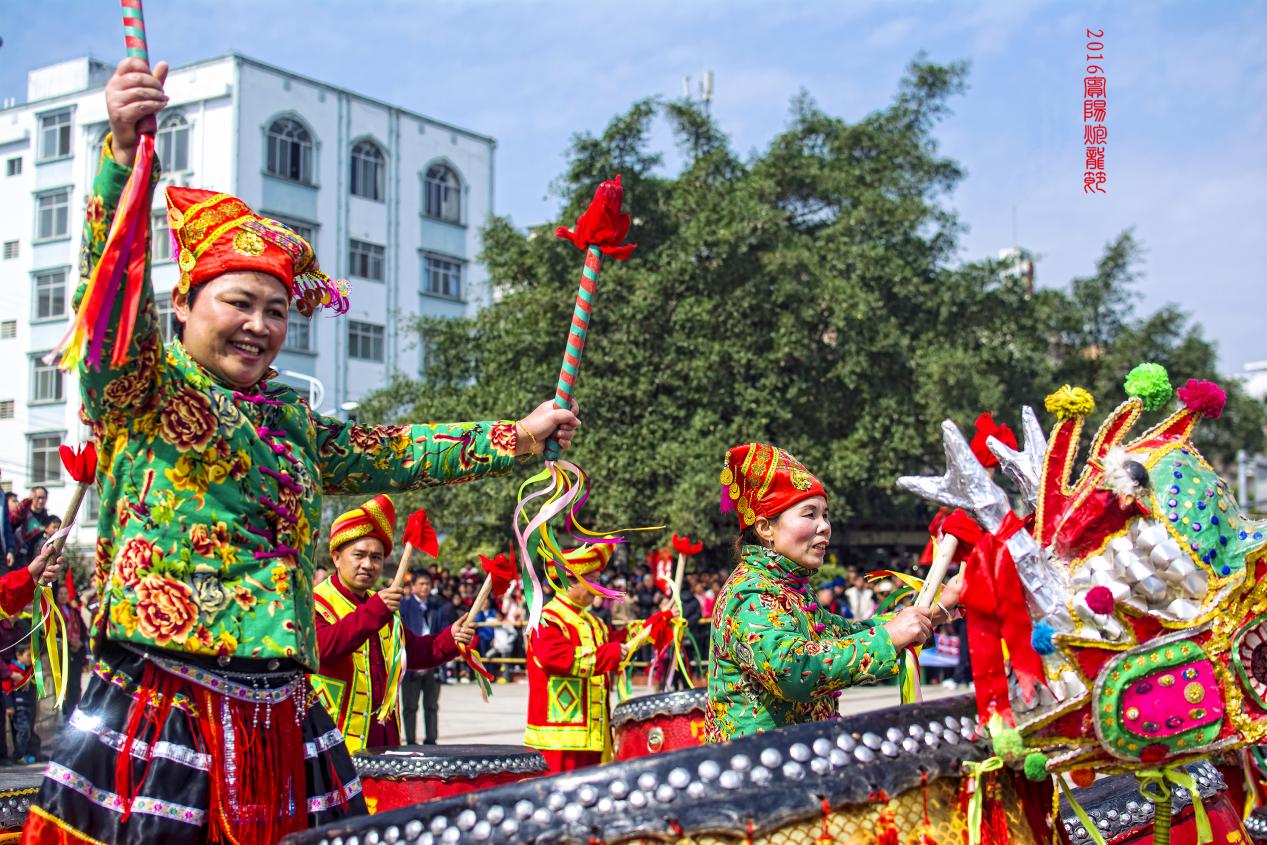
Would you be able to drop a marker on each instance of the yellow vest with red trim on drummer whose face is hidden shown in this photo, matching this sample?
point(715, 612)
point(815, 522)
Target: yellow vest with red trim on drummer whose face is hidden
point(570, 713)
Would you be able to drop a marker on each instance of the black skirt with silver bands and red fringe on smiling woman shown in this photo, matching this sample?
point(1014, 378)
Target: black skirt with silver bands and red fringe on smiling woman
point(177, 781)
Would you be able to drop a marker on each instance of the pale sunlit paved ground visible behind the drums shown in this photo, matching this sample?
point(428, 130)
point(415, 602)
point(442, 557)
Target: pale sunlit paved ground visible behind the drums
point(464, 719)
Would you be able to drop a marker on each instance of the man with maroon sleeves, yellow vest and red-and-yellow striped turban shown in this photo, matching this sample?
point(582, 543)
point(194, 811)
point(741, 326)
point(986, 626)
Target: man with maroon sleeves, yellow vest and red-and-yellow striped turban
point(364, 648)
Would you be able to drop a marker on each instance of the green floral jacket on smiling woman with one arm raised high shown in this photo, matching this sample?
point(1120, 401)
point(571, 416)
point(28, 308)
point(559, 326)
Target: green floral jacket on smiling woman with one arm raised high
point(212, 497)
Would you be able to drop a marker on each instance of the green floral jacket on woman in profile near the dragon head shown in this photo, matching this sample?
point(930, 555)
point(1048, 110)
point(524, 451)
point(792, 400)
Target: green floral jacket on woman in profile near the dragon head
point(775, 663)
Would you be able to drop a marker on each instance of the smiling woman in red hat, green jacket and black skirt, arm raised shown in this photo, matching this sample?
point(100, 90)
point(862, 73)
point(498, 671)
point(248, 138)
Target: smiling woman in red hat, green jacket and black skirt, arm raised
point(198, 724)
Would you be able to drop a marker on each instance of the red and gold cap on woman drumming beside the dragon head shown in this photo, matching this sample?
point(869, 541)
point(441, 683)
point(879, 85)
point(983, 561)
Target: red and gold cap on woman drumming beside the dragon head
point(765, 481)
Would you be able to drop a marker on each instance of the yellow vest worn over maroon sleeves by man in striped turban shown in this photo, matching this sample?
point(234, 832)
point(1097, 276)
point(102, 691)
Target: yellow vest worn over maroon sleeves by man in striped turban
point(349, 701)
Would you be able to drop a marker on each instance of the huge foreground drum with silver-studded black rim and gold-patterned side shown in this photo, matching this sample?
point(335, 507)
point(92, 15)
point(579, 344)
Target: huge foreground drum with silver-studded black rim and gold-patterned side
point(847, 780)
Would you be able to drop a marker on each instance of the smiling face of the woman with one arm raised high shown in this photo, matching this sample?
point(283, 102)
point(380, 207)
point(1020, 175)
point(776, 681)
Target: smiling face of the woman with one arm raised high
point(236, 326)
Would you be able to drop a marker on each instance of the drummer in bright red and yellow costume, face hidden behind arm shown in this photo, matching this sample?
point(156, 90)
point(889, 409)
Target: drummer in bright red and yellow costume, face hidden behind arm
point(571, 657)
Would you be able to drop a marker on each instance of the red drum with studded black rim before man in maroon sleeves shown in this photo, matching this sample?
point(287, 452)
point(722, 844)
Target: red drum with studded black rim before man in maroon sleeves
point(407, 776)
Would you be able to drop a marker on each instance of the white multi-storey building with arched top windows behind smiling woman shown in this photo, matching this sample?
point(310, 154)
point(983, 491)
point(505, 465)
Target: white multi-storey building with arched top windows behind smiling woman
point(391, 201)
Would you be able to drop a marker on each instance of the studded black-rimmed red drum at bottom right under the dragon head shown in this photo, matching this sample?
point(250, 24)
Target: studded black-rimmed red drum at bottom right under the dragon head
point(1124, 818)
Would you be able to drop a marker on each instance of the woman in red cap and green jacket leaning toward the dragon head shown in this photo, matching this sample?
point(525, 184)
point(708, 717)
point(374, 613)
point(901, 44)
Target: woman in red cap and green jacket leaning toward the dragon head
point(777, 657)
